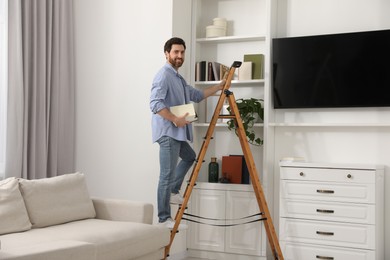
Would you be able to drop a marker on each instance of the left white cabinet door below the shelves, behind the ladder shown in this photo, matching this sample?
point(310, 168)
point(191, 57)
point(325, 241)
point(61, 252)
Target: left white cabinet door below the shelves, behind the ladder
point(208, 204)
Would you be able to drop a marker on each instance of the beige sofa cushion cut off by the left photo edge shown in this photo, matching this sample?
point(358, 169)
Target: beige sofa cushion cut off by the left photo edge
point(13, 213)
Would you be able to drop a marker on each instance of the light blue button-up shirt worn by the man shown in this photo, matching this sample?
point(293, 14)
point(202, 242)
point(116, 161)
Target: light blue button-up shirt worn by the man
point(170, 89)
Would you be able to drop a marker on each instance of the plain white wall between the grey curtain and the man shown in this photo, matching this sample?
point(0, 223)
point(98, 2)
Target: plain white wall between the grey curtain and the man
point(119, 48)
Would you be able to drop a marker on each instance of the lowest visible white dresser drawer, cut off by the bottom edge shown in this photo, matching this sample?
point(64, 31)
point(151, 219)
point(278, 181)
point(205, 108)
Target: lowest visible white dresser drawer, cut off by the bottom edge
point(292, 251)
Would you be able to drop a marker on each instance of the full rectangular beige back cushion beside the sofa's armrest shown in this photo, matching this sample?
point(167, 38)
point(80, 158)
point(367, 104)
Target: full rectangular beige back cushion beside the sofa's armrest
point(57, 200)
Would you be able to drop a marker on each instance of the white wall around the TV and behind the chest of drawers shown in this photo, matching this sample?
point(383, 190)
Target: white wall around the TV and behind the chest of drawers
point(352, 144)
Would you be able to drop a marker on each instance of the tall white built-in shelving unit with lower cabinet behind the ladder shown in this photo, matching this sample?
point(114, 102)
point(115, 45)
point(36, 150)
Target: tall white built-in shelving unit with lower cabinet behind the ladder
point(248, 32)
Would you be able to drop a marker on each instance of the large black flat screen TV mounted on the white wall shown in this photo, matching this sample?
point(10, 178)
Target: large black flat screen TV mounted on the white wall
point(333, 70)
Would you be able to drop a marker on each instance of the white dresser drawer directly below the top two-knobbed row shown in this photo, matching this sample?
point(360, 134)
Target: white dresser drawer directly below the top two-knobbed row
point(342, 192)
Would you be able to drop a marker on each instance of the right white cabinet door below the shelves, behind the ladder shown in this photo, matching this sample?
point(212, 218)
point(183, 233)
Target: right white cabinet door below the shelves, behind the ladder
point(246, 238)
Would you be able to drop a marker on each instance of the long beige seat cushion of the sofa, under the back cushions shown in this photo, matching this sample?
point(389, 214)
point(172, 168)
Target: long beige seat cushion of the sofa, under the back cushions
point(113, 239)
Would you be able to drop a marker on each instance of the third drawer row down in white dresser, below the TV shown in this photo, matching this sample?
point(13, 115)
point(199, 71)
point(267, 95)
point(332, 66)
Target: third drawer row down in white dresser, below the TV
point(335, 211)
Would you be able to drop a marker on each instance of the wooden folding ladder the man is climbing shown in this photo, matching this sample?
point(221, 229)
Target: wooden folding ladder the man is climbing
point(258, 190)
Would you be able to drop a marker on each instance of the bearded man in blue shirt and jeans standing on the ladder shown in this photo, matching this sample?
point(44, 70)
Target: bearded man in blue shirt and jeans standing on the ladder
point(172, 132)
